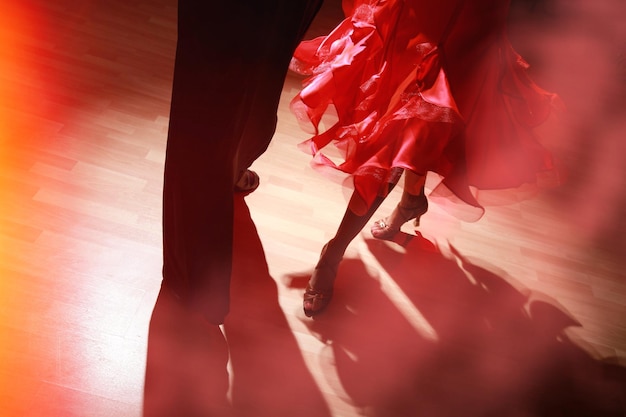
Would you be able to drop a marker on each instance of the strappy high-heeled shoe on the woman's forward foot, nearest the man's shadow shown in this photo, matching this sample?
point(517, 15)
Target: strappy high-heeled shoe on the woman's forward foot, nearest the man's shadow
point(317, 299)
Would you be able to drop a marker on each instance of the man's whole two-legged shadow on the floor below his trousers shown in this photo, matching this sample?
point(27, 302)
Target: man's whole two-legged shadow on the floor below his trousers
point(188, 373)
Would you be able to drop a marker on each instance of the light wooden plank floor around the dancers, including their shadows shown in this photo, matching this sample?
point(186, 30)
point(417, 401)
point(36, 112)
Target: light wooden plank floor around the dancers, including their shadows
point(520, 314)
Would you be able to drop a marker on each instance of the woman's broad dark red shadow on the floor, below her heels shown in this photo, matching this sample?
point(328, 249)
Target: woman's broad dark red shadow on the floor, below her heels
point(492, 349)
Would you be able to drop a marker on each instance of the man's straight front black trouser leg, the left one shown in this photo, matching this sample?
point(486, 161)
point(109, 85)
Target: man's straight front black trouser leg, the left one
point(205, 125)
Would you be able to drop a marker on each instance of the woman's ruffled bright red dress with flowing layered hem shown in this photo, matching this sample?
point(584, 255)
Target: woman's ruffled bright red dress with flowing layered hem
point(429, 86)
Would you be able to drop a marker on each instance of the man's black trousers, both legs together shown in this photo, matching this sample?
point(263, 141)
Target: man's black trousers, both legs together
point(231, 60)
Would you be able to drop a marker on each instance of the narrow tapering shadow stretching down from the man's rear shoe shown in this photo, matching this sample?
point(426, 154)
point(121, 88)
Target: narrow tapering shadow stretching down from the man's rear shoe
point(270, 377)
